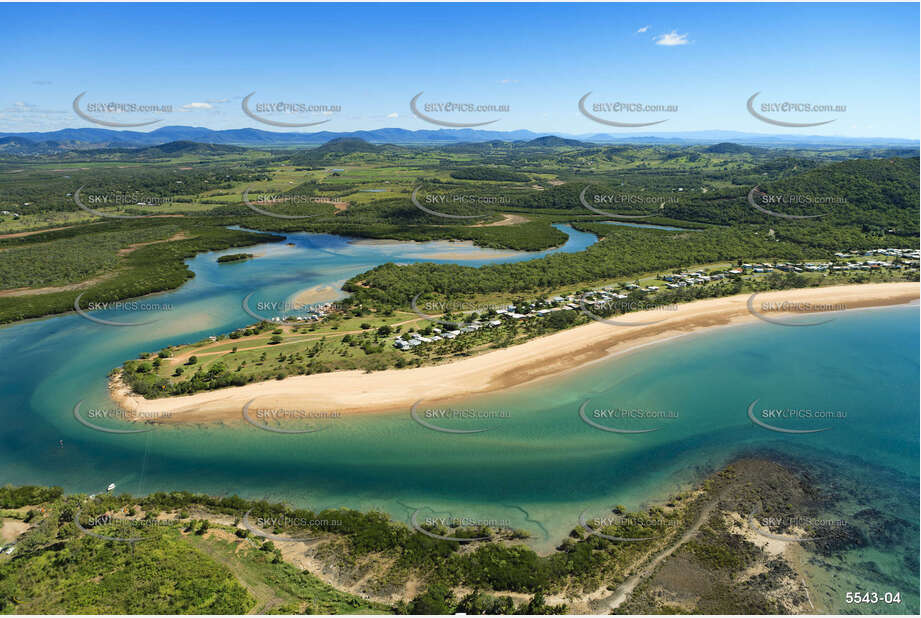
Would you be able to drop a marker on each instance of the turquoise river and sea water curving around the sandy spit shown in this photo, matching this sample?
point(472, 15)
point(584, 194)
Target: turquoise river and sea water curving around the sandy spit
point(537, 467)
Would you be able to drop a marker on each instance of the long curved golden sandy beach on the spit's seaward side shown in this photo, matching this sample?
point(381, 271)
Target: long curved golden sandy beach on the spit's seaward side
point(351, 392)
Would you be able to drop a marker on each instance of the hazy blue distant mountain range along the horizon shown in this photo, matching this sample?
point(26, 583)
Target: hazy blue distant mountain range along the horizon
point(91, 138)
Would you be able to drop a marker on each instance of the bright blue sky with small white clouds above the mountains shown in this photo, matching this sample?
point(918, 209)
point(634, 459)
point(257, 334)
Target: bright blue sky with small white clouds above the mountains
point(538, 59)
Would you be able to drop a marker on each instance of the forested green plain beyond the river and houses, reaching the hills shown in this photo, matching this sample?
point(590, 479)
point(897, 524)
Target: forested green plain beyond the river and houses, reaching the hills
point(188, 194)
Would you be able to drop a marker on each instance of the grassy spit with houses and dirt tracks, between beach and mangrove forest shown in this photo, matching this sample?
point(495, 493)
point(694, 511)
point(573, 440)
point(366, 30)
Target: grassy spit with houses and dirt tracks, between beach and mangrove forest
point(357, 336)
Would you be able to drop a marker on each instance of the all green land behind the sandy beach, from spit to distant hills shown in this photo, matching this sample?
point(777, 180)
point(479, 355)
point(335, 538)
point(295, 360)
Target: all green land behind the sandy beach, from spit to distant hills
point(190, 200)
